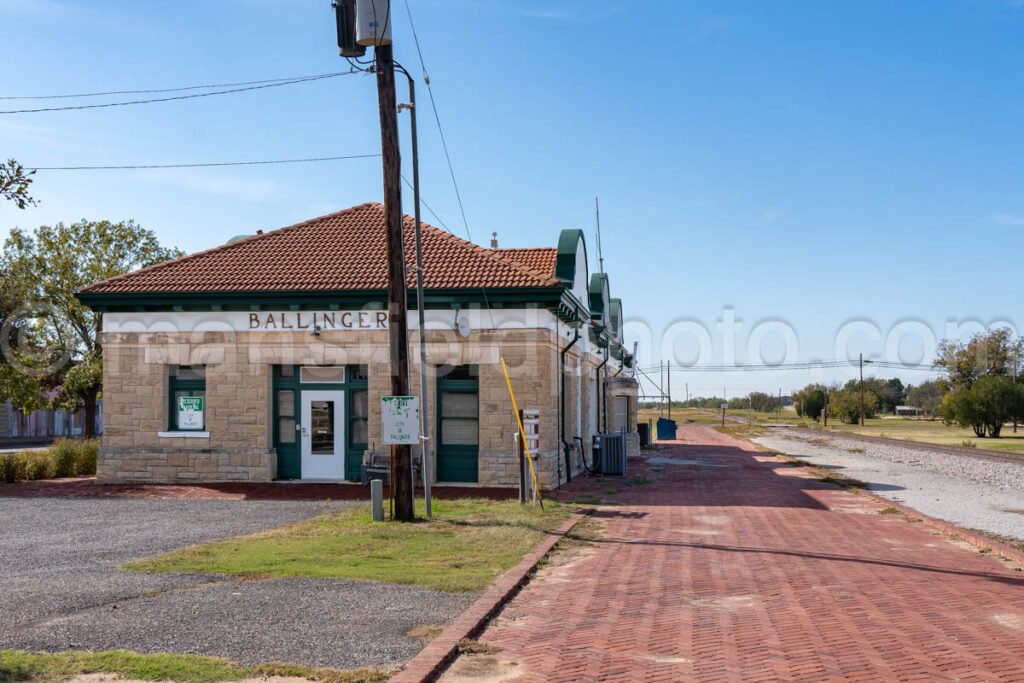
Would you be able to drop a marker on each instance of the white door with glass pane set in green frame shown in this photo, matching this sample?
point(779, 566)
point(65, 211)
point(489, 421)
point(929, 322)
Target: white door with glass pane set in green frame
point(324, 436)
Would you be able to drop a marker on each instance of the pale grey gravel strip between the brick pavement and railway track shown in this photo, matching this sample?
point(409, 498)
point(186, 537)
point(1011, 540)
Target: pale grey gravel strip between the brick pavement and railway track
point(968, 492)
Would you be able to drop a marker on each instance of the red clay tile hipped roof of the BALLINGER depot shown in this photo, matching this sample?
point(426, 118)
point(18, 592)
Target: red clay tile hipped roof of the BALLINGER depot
point(344, 251)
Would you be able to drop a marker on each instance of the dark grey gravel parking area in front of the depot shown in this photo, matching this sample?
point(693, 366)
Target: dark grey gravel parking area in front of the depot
point(61, 588)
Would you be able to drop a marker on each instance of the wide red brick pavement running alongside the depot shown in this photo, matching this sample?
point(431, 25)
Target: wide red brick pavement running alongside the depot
point(741, 569)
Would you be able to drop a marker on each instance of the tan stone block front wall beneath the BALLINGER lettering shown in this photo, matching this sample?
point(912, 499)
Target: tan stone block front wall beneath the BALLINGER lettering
point(239, 385)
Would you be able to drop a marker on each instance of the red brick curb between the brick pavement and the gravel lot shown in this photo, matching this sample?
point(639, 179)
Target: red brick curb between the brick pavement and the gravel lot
point(434, 659)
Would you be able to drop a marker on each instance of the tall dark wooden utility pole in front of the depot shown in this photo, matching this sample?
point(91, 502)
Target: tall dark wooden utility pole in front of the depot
point(402, 484)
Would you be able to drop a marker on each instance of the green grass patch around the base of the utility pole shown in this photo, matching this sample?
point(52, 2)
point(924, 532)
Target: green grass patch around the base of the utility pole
point(464, 548)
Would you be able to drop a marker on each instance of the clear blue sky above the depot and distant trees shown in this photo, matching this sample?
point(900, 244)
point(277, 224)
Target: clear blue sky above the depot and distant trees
point(832, 169)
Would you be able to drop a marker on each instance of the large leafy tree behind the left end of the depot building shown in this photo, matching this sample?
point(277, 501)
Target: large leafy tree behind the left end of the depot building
point(57, 358)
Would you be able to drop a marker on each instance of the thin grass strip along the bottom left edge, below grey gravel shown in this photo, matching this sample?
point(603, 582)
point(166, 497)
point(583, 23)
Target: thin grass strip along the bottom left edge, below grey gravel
point(24, 666)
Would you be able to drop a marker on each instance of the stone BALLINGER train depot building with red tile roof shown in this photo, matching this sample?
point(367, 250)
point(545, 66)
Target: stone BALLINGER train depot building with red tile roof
point(267, 359)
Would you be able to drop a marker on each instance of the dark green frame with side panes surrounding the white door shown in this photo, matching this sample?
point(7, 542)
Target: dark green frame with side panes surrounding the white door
point(289, 455)
